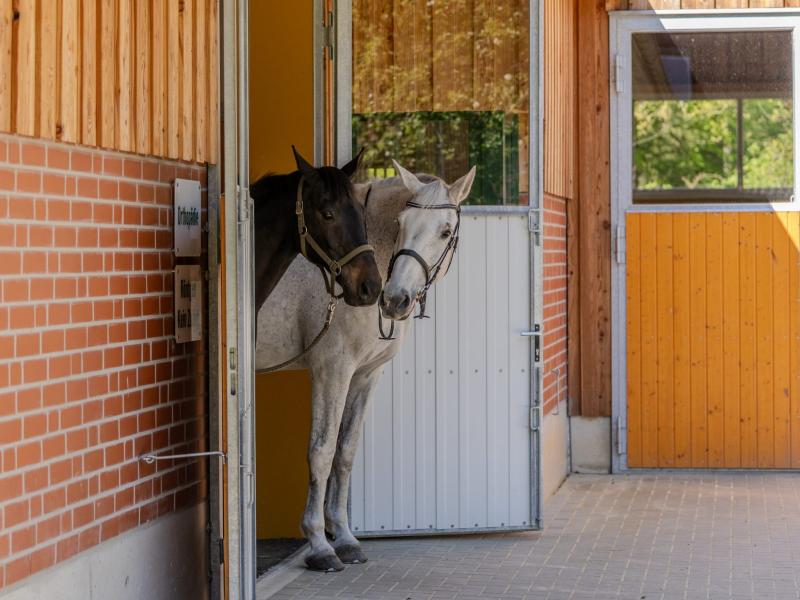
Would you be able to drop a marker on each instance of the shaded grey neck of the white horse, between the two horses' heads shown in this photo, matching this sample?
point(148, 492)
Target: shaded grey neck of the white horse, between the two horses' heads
point(388, 200)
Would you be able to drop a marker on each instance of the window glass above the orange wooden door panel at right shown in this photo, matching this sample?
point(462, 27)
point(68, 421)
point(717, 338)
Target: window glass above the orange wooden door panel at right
point(712, 117)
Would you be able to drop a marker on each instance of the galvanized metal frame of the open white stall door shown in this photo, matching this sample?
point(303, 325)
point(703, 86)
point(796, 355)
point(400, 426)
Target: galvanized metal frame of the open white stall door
point(344, 149)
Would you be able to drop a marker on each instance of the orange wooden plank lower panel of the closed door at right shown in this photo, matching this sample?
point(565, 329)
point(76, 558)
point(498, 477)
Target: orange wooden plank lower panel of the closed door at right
point(713, 340)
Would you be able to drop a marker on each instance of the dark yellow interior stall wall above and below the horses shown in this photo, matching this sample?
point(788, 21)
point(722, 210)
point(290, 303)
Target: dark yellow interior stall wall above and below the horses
point(281, 114)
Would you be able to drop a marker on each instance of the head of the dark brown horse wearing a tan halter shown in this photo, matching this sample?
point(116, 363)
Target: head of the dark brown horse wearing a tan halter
point(333, 215)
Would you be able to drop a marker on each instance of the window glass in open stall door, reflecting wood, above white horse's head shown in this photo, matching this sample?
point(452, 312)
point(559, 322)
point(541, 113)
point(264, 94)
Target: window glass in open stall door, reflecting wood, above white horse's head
point(443, 86)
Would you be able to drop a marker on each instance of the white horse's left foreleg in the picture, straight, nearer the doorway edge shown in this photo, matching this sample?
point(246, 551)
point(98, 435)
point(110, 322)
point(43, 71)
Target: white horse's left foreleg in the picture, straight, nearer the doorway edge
point(329, 392)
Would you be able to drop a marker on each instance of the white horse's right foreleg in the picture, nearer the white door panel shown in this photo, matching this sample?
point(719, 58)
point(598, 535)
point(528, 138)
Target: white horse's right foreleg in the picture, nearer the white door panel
point(345, 544)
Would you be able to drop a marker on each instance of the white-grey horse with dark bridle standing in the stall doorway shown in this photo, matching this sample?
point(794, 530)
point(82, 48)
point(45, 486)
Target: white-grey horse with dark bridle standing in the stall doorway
point(409, 225)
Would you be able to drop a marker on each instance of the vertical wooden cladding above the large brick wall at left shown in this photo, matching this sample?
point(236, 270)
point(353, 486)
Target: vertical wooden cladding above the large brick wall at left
point(130, 75)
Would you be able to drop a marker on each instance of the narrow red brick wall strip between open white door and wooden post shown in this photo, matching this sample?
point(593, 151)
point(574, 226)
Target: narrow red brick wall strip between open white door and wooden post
point(555, 301)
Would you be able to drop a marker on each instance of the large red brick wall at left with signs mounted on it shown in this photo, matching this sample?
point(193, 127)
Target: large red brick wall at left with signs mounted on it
point(90, 377)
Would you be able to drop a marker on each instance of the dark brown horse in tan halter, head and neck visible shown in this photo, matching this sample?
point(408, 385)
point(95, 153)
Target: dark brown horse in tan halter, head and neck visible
point(316, 212)
